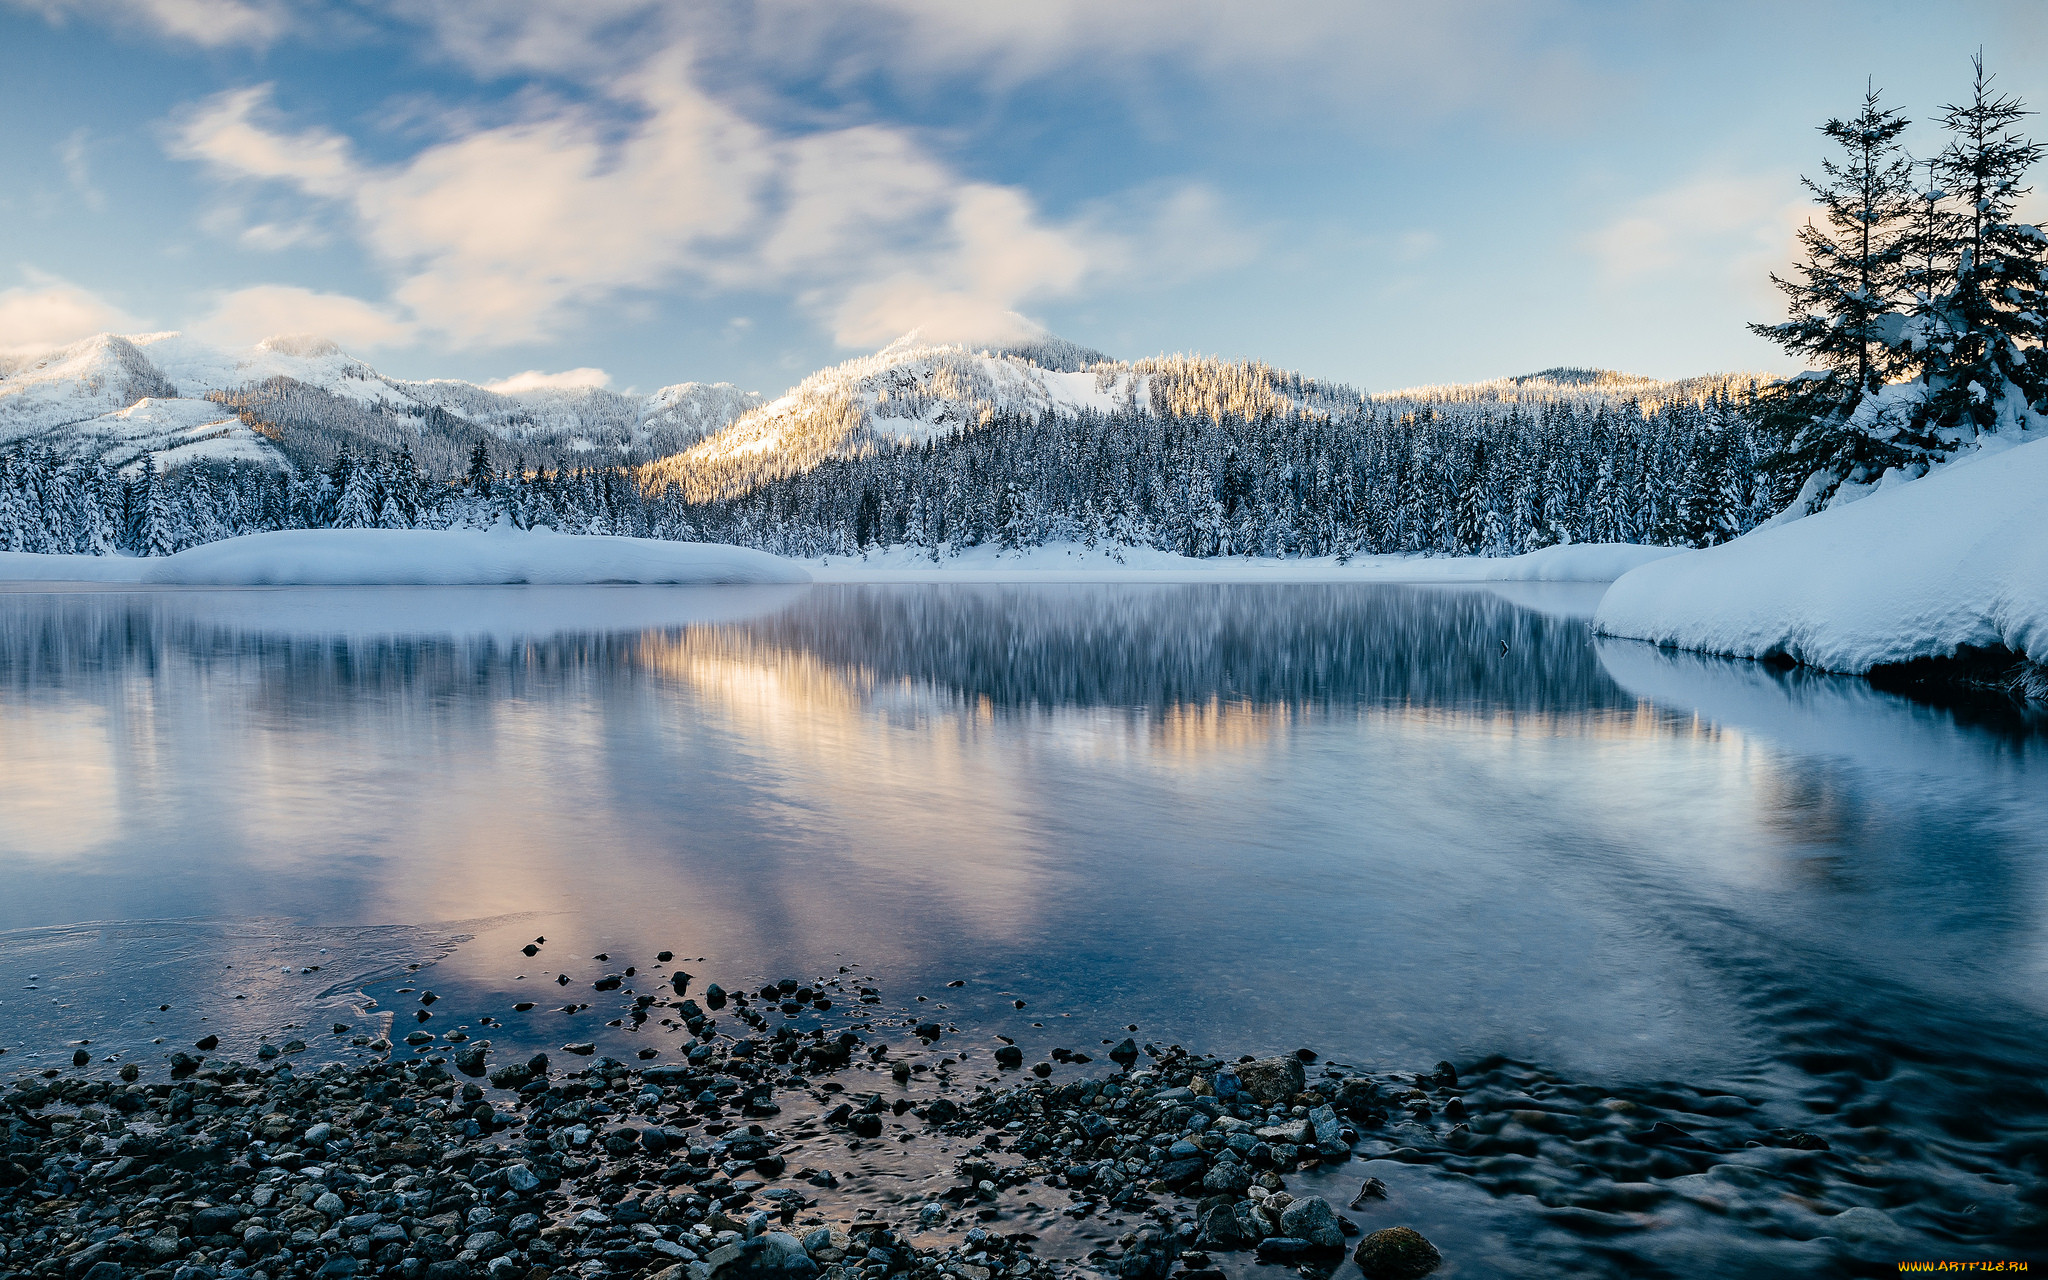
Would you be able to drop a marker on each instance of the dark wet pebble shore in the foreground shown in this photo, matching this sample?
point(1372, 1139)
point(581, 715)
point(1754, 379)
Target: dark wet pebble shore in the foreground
point(716, 1168)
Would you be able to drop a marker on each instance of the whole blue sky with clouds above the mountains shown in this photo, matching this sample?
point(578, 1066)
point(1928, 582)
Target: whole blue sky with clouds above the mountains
point(636, 194)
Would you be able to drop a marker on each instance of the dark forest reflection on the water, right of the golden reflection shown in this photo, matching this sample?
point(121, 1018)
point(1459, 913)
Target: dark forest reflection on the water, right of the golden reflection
point(1175, 646)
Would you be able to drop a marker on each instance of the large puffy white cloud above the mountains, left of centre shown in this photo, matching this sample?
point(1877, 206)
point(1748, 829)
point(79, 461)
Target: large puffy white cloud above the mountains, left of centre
point(505, 234)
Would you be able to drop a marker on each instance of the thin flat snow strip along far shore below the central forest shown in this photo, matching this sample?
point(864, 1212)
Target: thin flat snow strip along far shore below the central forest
point(1072, 562)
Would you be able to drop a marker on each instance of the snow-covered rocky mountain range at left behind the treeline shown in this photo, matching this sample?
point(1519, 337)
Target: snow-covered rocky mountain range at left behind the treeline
point(304, 400)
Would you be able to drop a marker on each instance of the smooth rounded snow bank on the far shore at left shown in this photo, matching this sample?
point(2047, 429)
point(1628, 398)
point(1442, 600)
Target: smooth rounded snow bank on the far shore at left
point(419, 558)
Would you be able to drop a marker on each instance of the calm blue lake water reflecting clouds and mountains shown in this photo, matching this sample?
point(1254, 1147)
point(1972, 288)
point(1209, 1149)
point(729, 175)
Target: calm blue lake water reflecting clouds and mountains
point(1392, 824)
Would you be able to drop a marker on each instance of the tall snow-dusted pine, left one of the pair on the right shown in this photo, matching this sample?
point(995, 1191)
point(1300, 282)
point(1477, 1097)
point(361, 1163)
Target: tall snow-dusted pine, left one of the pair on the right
point(1844, 312)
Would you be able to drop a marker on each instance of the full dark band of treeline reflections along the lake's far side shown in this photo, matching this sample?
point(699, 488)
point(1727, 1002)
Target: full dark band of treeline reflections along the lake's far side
point(1148, 648)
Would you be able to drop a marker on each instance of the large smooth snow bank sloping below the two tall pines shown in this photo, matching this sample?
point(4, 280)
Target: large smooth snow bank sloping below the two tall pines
point(1916, 570)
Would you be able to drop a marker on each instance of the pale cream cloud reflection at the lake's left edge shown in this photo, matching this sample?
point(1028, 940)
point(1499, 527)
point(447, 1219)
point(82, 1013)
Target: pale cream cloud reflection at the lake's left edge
point(56, 779)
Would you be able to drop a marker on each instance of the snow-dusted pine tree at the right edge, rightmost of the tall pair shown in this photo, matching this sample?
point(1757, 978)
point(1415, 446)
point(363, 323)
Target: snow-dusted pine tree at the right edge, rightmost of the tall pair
point(1983, 361)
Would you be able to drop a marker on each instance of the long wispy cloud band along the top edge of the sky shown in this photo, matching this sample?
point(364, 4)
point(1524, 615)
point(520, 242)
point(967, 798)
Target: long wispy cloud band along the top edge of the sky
point(1379, 65)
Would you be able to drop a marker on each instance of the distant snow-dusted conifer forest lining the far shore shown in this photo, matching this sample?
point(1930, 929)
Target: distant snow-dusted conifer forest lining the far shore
point(1457, 472)
